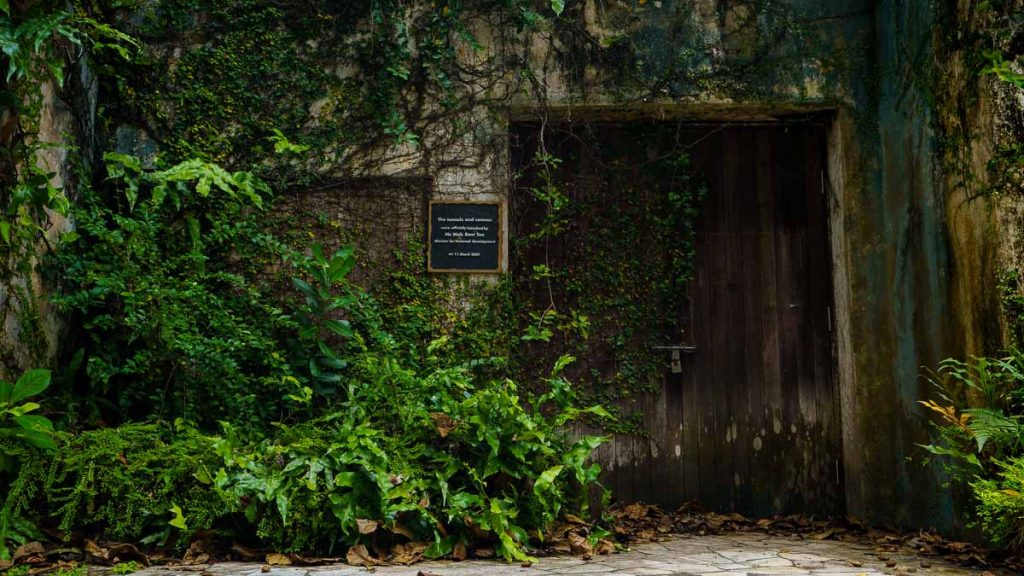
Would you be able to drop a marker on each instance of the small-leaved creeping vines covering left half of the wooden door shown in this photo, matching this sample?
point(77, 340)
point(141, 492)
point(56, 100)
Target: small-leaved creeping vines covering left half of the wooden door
point(591, 285)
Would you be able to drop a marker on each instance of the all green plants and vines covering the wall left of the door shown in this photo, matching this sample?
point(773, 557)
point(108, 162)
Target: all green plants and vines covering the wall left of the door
point(292, 403)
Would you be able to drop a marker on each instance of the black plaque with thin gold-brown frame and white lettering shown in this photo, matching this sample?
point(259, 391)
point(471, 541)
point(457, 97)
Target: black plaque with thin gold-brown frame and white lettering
point(465, 237)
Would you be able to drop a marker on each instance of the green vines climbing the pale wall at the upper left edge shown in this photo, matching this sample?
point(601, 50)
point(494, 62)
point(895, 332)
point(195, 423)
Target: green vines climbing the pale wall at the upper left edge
point(40, 42)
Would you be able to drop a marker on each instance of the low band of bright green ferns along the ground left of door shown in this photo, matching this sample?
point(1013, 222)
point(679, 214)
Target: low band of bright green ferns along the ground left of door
point(432, 456)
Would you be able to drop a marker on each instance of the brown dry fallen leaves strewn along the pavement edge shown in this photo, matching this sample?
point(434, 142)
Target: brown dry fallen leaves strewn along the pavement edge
point(622, 526)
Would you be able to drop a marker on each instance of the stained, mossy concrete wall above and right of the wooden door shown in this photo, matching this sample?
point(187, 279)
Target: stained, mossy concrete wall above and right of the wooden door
point(916, 256)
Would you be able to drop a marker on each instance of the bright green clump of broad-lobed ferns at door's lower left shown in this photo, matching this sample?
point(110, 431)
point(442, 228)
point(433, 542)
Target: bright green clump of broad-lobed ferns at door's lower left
point(437, 458)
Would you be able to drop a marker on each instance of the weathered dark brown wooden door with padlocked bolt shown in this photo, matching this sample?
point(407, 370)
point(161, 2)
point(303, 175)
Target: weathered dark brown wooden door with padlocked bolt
point(751, 423)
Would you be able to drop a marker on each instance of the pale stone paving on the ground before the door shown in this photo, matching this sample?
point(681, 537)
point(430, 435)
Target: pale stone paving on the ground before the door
point(730, 555)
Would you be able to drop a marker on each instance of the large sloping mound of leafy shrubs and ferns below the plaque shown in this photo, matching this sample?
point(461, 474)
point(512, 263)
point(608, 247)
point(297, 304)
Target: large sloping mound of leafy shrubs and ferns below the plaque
point(334, 414)
